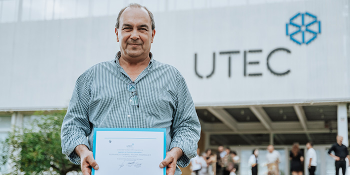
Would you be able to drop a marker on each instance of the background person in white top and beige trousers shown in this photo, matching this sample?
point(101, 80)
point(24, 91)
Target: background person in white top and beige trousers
point(273, 158)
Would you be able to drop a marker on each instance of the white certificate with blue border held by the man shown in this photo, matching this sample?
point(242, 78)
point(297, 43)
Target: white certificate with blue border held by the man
point(129, 151)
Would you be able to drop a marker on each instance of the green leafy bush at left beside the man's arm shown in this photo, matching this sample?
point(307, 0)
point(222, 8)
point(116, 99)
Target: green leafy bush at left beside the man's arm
point(37, 149)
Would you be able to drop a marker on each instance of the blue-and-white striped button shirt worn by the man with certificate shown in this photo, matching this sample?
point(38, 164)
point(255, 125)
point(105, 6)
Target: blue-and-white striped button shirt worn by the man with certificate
point(101, 100)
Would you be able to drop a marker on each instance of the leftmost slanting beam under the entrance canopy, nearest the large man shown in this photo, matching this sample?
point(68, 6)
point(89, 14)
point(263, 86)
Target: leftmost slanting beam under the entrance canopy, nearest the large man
point(225, 117)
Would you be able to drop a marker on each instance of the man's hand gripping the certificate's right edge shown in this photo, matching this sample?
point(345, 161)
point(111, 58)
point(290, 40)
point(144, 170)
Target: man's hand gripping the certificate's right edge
point(170, 160)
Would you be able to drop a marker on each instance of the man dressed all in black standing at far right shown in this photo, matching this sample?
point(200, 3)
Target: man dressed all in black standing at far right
point(341, 152)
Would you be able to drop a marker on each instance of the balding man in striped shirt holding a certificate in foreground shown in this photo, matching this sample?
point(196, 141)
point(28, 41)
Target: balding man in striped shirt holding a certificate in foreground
point(132, 91)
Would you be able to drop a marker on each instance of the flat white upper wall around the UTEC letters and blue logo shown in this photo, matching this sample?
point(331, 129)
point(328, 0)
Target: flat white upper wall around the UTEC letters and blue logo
point(40, 60)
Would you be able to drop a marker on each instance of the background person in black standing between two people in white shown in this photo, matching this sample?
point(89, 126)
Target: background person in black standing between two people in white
point(296, 157)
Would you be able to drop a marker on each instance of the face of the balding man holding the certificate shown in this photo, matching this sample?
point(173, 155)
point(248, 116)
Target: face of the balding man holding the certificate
point(135, 32)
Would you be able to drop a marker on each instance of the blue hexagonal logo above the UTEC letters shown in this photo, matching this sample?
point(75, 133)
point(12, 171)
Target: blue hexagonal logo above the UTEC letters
point(307, 28)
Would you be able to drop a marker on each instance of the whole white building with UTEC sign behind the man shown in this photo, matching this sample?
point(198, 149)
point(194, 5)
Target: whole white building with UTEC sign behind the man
point(260, 71)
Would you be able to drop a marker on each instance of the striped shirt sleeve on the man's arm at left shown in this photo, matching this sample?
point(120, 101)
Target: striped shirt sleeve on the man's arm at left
point(76, 126)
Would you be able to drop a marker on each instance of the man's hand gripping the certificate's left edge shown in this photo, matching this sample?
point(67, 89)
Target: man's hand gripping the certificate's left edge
point(87, 159)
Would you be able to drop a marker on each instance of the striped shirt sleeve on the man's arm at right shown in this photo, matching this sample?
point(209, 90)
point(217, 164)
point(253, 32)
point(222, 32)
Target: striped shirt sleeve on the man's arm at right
point(186, 127)
